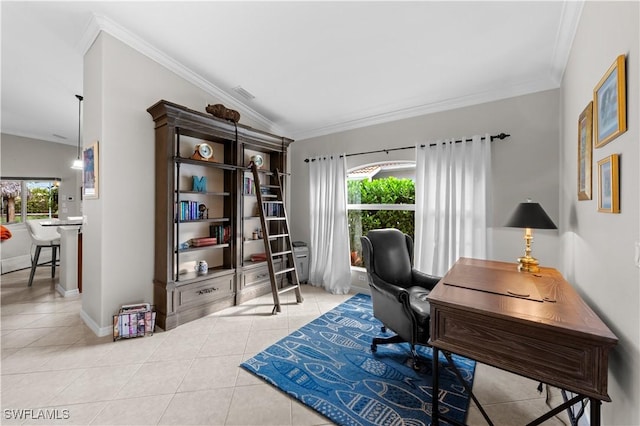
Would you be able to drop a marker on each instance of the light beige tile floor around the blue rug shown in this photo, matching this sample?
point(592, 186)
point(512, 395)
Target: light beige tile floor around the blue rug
point(189, 375)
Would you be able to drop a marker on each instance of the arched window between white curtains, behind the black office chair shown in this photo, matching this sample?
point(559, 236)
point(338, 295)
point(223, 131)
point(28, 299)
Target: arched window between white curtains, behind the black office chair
point(379, 196)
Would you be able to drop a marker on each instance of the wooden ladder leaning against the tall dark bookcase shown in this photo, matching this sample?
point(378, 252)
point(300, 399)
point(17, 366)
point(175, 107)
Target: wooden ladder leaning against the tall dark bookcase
point(273, 212)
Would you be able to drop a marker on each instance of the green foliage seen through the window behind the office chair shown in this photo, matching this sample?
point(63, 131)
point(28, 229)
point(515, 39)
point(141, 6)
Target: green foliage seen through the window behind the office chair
point(389, 190)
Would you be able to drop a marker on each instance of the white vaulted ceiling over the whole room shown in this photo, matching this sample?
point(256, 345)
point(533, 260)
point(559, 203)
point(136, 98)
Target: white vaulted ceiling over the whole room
point(314, 67)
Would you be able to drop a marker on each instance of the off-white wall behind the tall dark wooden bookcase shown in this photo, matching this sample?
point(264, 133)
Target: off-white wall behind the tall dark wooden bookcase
point(119, 85)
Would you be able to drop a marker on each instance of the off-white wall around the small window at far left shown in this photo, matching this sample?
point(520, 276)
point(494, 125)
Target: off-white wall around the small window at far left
point(25, 157)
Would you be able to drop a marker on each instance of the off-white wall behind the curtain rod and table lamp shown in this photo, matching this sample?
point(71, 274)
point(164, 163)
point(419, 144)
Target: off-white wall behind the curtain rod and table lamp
point(524, 165)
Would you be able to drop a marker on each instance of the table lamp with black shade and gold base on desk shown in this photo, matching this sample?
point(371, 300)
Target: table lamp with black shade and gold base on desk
point(529, 215)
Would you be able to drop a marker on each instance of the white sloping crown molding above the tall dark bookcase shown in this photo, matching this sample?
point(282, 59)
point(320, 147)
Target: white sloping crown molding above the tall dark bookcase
point(100, 23)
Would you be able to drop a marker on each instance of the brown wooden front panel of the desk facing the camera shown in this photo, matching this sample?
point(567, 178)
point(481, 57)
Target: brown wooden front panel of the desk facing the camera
point(530, 350)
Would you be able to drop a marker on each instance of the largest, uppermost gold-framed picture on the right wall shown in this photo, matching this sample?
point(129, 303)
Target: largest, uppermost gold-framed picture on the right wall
point(610, 104)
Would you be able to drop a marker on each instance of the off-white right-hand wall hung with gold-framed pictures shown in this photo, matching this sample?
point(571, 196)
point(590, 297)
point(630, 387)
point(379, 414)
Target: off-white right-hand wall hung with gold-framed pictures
point(598, 248)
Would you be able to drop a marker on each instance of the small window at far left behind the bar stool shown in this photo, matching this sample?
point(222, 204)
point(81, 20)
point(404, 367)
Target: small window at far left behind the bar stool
point(25, 199)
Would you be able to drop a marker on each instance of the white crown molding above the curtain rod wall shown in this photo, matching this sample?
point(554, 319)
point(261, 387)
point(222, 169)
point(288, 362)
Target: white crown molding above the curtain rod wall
point(398, 112)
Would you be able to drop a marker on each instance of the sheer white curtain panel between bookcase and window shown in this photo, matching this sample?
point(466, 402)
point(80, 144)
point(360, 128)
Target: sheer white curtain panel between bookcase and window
point(329, 247)
